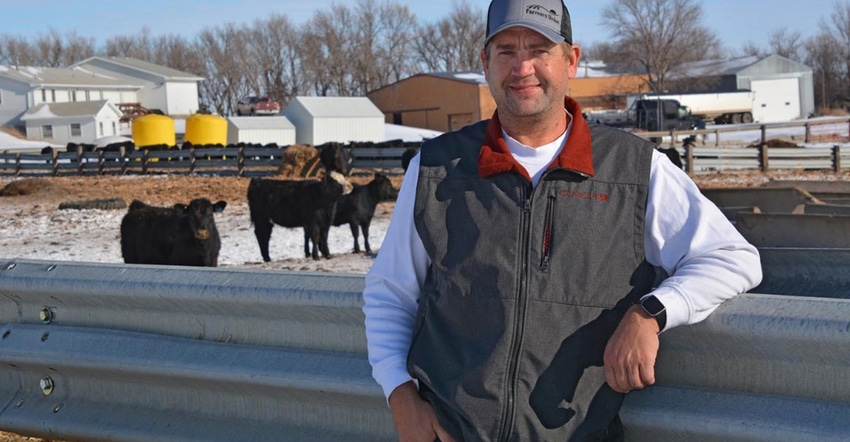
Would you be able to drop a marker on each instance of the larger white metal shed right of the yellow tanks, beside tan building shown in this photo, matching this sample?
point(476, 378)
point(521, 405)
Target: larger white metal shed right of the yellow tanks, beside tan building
point(319, 120)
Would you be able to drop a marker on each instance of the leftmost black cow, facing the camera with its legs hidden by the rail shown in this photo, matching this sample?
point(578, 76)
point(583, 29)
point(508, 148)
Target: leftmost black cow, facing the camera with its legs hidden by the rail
point(180, 235)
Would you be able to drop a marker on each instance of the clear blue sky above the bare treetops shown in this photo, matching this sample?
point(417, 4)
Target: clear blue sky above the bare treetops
point(736, 22)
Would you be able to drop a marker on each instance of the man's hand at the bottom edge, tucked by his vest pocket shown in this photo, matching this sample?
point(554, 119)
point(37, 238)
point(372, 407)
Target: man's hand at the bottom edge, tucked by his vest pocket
point(414, 418)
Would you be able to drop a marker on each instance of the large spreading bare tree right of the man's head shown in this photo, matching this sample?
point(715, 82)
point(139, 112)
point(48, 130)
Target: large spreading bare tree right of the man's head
point(657, 37)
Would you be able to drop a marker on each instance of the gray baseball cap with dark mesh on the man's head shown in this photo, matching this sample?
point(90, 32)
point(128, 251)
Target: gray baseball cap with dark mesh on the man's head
point(548, 17)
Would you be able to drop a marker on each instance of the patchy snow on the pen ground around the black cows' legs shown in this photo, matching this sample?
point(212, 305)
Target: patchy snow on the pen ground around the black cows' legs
point(94, 236)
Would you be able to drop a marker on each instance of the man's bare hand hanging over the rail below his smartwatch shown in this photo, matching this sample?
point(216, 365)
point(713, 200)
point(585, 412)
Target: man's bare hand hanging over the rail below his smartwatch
point(630, 354)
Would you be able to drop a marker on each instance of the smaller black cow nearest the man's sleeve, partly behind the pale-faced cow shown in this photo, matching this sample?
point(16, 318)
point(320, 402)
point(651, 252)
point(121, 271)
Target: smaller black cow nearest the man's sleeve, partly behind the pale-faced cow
point(358, 207)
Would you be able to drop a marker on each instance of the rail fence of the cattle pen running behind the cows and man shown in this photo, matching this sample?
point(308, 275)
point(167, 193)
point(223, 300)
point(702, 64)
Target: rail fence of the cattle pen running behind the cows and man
point(822, 144)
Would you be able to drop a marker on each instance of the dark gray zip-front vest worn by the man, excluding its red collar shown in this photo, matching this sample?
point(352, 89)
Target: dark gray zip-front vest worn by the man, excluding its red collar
point(525, 287)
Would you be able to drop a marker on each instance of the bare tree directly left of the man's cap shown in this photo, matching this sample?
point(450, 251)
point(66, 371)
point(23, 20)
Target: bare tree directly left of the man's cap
point(453, 43)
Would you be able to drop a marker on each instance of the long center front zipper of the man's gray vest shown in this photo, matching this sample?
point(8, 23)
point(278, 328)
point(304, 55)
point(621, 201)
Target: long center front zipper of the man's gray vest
point(519, 327)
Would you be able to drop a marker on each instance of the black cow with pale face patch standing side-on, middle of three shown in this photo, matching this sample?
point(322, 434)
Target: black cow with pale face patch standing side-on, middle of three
point(307, 204)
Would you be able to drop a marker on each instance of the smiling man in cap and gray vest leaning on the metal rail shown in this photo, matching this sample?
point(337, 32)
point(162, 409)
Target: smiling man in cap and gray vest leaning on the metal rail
point(514, 297)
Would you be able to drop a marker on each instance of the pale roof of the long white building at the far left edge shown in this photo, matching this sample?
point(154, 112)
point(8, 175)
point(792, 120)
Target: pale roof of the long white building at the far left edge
point(46, 77)
